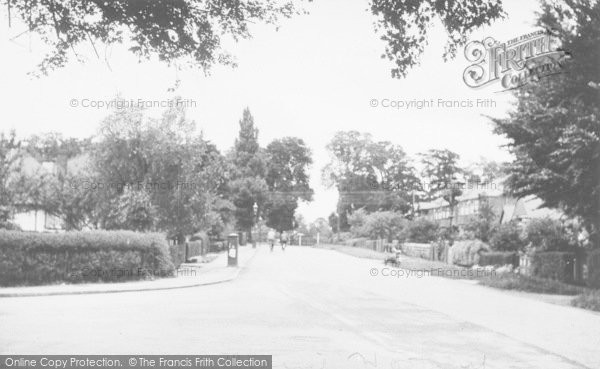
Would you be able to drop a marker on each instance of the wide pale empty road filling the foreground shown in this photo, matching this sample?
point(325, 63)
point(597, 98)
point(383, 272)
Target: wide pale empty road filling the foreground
point(313, 308)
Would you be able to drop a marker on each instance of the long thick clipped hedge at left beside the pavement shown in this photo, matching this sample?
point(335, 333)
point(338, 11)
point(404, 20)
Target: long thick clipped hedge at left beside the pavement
point(31, 258)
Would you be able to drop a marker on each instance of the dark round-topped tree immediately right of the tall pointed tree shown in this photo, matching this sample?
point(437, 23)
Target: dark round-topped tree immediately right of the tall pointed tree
point(287, 179)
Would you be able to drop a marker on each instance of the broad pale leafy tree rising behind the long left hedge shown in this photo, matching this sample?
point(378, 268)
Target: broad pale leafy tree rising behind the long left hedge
point(181, 172)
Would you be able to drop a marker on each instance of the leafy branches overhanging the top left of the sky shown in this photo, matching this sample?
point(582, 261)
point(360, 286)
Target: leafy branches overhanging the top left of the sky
point(174, 31)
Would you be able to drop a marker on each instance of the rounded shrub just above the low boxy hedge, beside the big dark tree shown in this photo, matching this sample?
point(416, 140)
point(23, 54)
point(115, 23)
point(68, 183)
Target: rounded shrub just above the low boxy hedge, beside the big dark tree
point(547, 235)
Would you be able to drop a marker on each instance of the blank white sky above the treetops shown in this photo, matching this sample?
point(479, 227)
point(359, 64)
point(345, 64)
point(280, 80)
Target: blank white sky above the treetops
point(318, 74)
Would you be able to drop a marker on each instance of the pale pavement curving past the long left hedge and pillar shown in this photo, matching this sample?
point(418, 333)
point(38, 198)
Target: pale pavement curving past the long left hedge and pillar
point(188, 275)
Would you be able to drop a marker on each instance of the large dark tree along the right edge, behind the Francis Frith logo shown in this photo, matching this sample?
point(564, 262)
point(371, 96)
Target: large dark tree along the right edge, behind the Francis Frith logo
point(554, 131)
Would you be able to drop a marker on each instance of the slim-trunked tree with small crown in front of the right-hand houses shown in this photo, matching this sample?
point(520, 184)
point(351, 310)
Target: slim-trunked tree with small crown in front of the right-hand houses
point(441, 172)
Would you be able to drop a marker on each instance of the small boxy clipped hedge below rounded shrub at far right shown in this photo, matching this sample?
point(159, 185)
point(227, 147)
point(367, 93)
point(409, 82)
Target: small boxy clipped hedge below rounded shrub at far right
point(555, 265)
